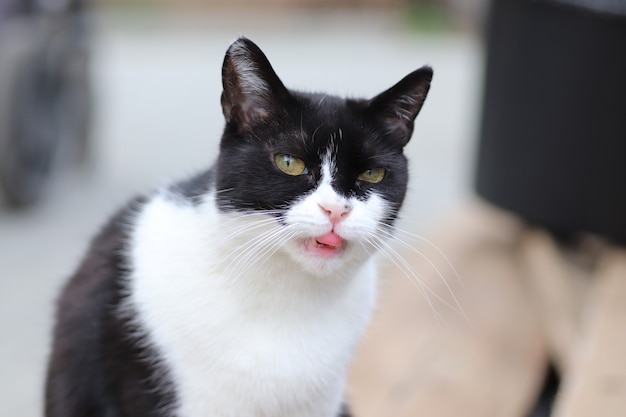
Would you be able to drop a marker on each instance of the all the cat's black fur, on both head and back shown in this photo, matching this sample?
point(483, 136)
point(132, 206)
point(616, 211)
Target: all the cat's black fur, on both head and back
point(101, 364)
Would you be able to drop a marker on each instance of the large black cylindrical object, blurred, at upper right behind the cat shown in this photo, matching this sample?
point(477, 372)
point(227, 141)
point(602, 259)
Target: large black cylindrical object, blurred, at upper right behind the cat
point(553, 139)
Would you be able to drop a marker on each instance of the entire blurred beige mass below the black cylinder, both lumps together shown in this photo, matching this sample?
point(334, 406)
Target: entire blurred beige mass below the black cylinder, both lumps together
point(528, 301)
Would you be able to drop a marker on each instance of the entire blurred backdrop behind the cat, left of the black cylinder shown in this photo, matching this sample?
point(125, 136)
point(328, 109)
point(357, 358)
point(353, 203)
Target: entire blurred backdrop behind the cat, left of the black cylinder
point(102, 100)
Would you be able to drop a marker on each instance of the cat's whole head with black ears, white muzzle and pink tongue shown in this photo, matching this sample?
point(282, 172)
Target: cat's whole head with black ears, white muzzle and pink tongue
point(329, 171)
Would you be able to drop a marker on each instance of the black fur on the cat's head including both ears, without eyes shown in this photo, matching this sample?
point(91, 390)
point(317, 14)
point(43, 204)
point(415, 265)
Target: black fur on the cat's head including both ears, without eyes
point(269, 119)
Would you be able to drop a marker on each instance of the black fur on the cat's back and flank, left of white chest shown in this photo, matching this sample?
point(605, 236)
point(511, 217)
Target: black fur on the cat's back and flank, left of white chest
point(99, 365)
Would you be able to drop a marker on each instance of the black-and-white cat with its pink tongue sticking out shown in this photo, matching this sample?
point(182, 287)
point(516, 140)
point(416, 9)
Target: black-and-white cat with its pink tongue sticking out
point(244, 290)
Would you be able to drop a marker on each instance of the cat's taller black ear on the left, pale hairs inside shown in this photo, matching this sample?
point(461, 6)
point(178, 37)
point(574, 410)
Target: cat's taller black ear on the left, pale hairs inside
point(252, 90)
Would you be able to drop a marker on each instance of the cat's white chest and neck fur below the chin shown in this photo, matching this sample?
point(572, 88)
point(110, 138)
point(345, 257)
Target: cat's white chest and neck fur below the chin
point(275, 342)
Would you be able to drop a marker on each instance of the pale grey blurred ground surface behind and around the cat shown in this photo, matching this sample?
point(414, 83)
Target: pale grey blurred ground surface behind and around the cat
point(158, 86)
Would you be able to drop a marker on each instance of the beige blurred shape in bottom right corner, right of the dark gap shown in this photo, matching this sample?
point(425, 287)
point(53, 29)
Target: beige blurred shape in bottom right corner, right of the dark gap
point(595, 384)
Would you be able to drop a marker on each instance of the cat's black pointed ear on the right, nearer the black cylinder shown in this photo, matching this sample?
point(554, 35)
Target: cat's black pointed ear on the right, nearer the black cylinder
point(397, 107)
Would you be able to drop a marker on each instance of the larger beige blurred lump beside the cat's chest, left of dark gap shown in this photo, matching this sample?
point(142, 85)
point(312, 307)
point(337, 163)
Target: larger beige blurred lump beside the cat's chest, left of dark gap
point(412, 364)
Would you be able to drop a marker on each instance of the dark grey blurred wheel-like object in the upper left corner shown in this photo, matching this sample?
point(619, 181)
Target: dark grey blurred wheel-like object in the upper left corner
point(45, 95)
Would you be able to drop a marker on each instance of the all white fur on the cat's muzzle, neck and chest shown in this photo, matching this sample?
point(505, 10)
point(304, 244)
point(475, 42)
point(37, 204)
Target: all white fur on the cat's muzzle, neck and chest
point(250, 326)
